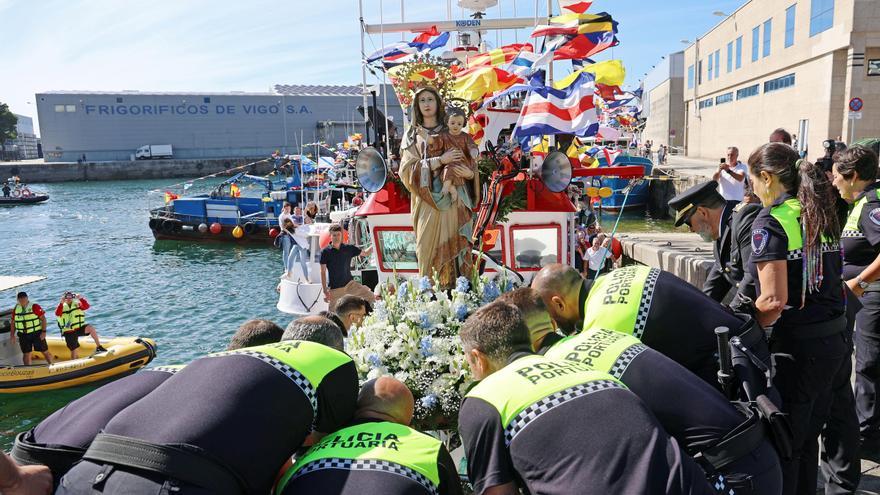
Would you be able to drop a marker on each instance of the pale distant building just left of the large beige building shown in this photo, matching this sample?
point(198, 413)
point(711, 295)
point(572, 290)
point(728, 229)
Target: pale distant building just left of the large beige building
point(663, 103)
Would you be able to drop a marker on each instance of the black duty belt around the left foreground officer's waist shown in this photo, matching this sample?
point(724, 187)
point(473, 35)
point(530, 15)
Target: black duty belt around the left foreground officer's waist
point(182, 463)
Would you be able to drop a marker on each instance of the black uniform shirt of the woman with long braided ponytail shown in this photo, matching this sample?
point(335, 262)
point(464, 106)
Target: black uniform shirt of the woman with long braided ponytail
point(770, 243)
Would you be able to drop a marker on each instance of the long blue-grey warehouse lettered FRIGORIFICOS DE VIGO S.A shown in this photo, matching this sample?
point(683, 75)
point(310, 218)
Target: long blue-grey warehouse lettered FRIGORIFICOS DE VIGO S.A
point(112, 125)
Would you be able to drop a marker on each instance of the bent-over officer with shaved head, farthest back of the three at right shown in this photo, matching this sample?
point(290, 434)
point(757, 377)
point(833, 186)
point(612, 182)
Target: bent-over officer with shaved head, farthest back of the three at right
point(663, 311)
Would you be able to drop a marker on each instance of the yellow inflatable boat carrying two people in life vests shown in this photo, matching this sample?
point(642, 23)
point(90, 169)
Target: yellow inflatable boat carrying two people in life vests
point(123, 356)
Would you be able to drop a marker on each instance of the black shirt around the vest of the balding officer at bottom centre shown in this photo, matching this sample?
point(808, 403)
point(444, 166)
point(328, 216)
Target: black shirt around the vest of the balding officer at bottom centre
point(343, 481)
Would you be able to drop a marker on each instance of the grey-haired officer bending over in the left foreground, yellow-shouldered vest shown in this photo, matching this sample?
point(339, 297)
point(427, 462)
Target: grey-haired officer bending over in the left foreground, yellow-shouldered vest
point(231, 419)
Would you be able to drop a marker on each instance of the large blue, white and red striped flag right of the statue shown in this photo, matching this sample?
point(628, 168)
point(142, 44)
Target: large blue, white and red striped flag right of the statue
point(569, 110)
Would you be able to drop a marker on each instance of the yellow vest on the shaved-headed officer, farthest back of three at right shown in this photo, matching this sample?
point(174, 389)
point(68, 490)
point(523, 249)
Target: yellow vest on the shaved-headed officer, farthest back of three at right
point(621, 300)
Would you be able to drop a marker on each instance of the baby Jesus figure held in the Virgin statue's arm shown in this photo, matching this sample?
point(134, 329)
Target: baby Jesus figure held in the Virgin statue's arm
point(454, 174)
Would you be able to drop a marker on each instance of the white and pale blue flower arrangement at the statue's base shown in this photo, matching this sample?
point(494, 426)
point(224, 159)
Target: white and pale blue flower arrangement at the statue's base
point(412, 334)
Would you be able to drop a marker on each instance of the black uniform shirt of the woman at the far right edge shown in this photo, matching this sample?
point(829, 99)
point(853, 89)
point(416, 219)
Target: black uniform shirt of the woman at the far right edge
point(861, 249)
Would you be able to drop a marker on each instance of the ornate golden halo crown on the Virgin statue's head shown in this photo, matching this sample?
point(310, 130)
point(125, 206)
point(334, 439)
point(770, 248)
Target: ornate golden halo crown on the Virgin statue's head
point(423, 72)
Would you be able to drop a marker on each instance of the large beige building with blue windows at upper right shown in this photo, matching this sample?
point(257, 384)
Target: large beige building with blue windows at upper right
point(795, 64)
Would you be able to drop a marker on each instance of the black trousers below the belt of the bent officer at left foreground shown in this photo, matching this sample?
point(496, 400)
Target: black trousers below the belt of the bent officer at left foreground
point(87, 478)
